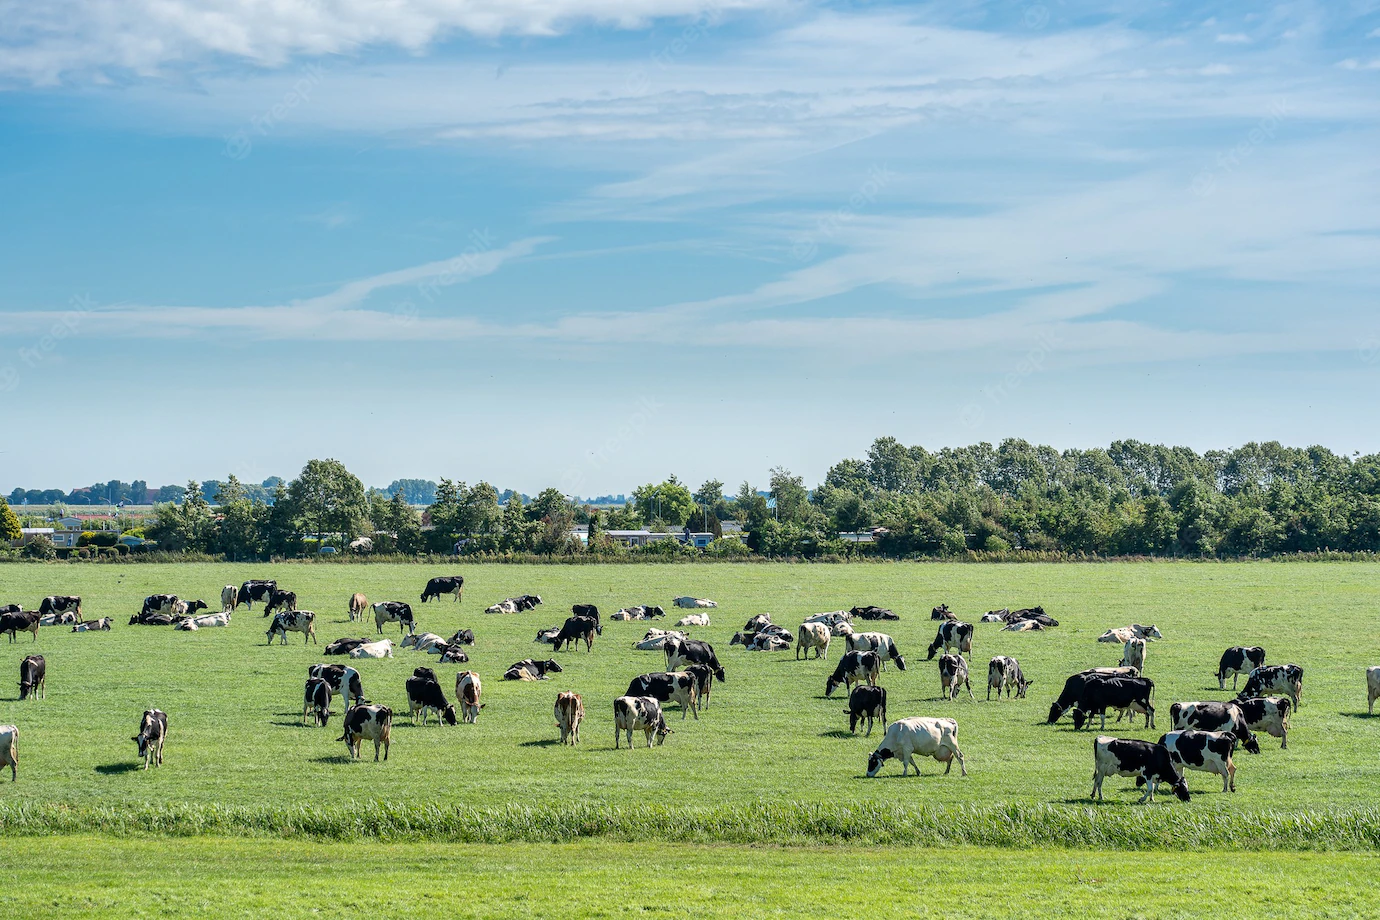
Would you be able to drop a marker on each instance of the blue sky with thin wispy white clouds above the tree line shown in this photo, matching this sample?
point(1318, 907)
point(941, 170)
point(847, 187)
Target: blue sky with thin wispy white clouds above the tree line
point(593, 243)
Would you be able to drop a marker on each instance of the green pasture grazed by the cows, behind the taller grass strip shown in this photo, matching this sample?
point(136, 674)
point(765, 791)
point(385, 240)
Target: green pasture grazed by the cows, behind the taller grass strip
point(769, 736)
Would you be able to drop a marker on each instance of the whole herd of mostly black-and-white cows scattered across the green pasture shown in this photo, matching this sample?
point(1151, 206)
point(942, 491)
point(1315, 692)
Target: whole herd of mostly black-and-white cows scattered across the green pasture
point(1204, 736)
